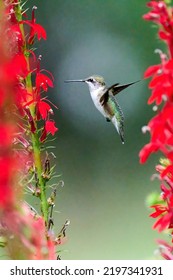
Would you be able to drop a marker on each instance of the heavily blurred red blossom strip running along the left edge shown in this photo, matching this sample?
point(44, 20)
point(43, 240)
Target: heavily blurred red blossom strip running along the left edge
point(7, 127)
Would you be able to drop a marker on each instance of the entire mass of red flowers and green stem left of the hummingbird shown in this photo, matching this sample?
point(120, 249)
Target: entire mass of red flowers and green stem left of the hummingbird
point(22, 106)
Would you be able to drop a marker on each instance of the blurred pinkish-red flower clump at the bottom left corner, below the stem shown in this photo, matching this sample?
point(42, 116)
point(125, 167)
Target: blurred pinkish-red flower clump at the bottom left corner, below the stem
point(30, 229)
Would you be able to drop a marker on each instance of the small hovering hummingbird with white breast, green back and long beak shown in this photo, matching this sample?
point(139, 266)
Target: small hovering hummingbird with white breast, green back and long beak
point(104, 100)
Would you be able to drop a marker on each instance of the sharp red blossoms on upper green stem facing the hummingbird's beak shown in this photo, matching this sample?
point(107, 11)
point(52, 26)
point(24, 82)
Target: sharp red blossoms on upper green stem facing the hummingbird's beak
point(22, 59)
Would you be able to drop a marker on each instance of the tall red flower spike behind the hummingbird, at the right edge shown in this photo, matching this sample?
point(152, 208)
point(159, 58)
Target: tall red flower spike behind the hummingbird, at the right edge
point(160, 127)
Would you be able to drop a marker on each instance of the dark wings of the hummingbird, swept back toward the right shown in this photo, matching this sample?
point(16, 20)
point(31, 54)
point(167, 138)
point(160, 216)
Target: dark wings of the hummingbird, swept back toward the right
point(113, 90)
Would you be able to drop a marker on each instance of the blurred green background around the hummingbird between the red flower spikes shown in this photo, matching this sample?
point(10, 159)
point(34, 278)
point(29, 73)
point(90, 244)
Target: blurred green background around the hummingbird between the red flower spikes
point(105, 186)
